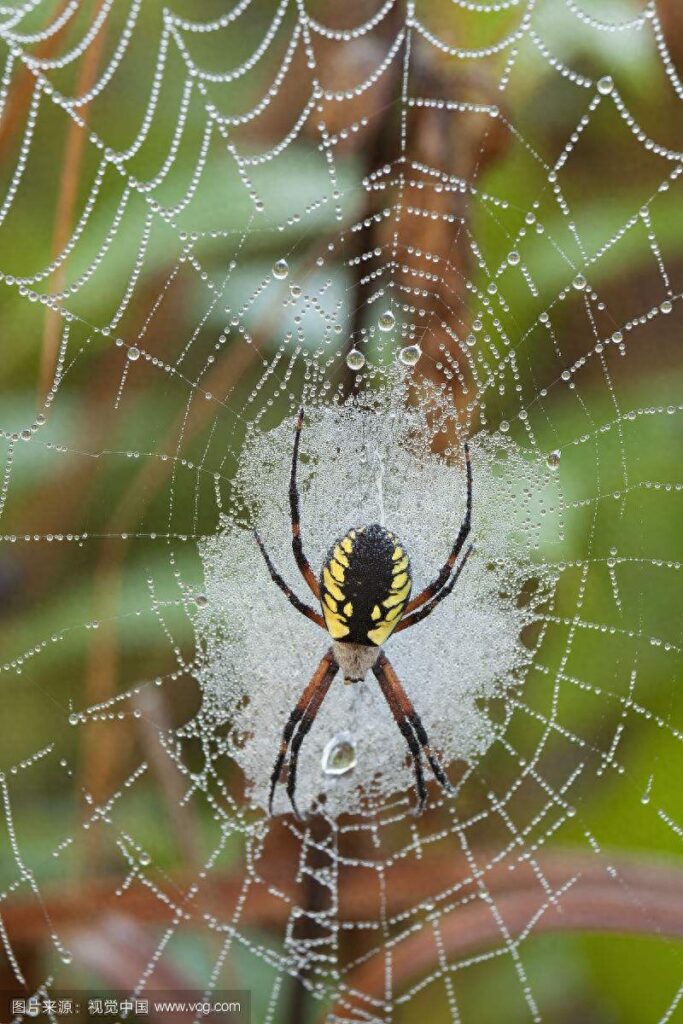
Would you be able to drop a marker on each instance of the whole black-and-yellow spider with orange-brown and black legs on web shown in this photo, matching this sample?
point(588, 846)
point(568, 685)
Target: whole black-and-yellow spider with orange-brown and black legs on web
point(364, 590)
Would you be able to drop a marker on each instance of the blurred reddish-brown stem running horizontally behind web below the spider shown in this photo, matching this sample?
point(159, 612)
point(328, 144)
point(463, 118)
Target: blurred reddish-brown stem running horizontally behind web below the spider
point(644, 895)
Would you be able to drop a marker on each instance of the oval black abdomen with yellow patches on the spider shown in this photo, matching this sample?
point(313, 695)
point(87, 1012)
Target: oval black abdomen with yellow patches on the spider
point(365, 586)
